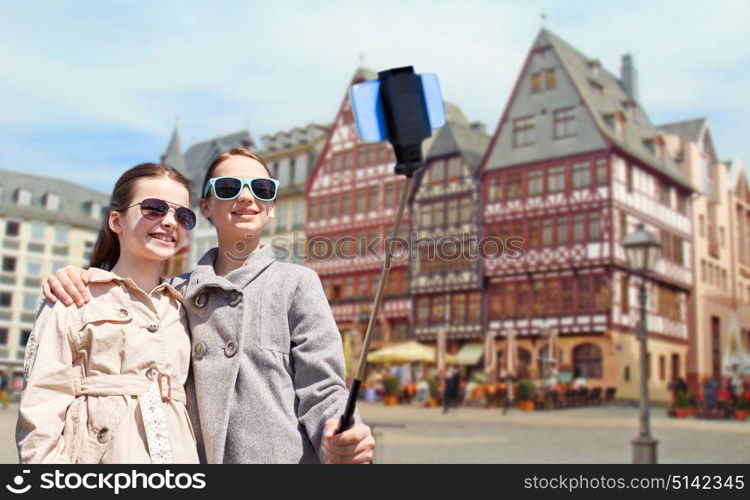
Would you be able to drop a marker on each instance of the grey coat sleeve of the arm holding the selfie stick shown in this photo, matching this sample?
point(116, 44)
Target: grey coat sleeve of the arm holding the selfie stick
point(318, 357)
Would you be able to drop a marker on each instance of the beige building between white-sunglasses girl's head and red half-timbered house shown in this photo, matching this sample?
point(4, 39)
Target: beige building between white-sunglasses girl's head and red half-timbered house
point(291, 155)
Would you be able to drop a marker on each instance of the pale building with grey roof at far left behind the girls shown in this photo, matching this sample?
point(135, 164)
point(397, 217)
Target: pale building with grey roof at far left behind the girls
point(45, 224)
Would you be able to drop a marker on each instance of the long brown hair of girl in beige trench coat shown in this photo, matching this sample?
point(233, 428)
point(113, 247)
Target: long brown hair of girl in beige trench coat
point(106, 251)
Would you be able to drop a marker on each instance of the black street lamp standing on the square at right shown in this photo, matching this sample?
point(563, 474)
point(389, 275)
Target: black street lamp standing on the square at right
point(641, 250)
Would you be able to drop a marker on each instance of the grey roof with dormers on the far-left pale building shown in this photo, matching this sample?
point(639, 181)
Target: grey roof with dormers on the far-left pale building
point(74, 206)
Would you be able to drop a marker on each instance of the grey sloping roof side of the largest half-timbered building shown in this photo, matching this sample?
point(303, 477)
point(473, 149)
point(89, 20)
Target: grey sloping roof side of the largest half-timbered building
point(587, 75)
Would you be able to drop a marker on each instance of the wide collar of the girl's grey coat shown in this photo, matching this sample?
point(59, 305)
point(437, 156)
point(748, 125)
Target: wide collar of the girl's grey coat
point(204, 274)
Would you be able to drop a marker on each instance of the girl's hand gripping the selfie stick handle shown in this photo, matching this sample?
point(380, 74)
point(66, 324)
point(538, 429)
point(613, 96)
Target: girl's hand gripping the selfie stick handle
point(353, 446)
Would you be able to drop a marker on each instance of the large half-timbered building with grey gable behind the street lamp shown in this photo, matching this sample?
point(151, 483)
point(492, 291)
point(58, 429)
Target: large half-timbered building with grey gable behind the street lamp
point(573, 166)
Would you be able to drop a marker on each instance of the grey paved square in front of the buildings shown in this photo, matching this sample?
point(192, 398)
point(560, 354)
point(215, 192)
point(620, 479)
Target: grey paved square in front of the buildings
point(410, 434)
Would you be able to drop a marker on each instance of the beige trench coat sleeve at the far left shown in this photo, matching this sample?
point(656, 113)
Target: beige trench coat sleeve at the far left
point(48, 386)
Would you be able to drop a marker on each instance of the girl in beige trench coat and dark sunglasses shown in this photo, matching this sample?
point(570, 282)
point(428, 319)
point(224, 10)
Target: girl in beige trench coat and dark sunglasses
point(105, 383)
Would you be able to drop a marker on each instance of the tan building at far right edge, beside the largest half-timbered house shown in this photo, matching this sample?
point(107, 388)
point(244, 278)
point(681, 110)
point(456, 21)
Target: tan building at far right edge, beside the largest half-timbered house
point(718, 249)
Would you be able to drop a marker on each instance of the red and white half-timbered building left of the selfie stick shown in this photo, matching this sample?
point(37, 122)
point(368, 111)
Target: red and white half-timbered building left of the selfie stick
point(352, 197)
